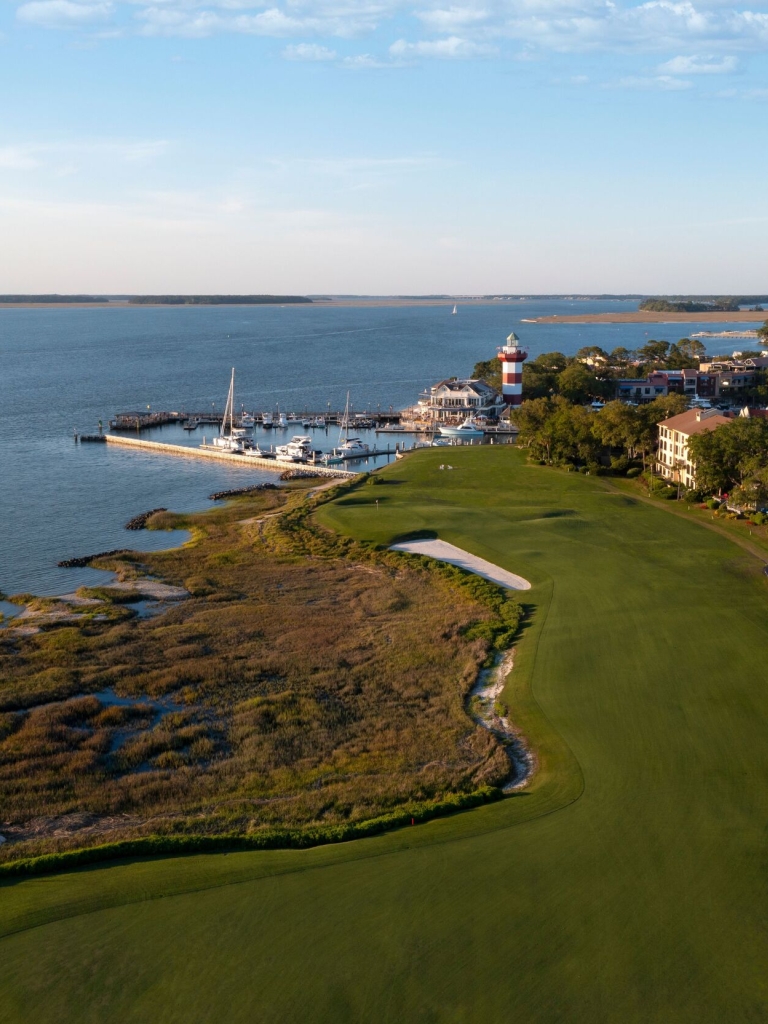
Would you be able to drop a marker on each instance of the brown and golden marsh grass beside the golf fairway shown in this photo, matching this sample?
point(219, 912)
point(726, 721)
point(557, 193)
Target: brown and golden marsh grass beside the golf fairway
point(323, 681)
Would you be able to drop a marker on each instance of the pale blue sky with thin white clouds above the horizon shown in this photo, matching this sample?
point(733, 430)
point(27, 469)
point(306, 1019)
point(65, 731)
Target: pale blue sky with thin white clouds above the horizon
point(383, 147)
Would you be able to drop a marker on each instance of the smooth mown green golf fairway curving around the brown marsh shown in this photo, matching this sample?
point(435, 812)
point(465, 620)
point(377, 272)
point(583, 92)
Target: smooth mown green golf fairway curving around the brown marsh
point(628, 886)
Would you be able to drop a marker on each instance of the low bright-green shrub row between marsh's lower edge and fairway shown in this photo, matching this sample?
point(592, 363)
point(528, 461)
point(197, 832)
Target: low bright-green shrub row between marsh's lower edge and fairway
point(270, 839)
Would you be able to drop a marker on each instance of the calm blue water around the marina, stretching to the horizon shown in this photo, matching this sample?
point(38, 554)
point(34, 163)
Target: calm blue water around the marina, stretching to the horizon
point(63, 370)
